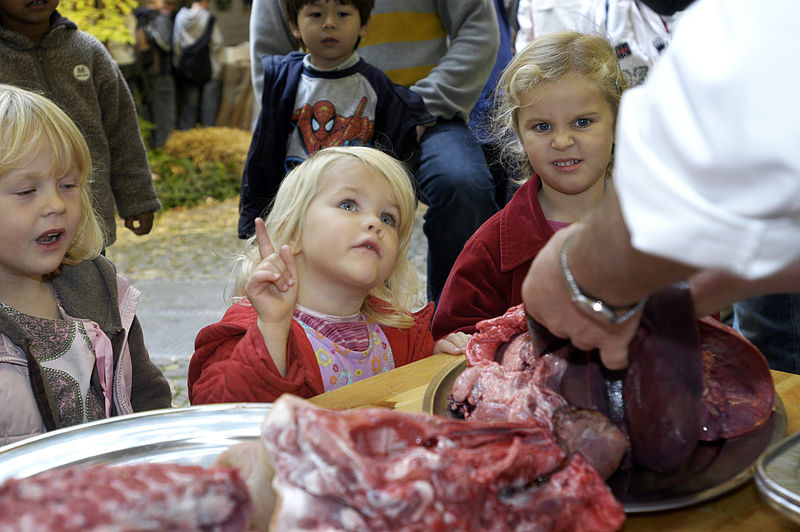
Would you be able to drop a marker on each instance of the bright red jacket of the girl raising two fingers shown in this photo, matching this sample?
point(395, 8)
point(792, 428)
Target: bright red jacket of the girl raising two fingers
point(231, 362)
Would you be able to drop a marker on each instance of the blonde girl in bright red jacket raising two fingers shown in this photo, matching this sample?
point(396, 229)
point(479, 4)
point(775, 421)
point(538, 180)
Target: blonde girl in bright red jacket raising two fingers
point(325, 287)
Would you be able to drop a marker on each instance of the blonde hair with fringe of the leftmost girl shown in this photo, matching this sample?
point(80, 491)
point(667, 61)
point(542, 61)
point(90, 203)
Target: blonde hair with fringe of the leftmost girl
point(29, 120)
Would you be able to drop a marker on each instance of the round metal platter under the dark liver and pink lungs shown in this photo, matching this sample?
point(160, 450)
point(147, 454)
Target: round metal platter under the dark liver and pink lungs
point(714, 469)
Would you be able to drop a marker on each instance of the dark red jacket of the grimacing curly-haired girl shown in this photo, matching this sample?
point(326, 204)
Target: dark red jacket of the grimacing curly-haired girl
point(486, 279)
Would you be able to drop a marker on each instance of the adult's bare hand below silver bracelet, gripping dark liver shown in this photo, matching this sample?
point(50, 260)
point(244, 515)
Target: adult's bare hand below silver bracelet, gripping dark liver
point(547, 300)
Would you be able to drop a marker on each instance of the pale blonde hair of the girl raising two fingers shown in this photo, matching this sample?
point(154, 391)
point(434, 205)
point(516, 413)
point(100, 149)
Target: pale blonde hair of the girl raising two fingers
point(286, 218)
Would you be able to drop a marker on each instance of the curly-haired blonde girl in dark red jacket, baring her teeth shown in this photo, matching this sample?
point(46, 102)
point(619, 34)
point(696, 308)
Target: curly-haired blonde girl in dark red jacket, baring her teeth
point(556, 109)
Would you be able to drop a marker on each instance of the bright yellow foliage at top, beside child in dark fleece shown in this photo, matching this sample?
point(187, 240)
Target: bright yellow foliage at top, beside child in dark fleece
point(106, 21)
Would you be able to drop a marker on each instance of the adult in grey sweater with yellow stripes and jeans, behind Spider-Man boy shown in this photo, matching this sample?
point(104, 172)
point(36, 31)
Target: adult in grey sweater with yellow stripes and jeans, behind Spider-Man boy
point(444, 52)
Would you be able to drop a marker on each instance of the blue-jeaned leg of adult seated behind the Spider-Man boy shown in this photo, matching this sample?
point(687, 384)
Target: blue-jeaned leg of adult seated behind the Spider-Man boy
point(458, 189)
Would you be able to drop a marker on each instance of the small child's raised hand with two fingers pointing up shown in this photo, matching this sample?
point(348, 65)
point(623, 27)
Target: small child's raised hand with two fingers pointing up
point(272, 286)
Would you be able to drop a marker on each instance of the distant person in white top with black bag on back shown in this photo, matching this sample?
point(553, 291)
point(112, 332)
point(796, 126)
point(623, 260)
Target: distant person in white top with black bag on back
point(198, 102)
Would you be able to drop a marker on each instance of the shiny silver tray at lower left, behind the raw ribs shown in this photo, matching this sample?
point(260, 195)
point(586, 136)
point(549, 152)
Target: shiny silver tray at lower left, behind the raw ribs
point(194, 435)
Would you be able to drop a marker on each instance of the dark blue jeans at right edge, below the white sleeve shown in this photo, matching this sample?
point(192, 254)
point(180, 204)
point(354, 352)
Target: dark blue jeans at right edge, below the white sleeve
point(772, 323)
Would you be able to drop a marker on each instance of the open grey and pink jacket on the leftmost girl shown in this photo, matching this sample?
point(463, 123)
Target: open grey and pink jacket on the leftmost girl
point(91, 290)
